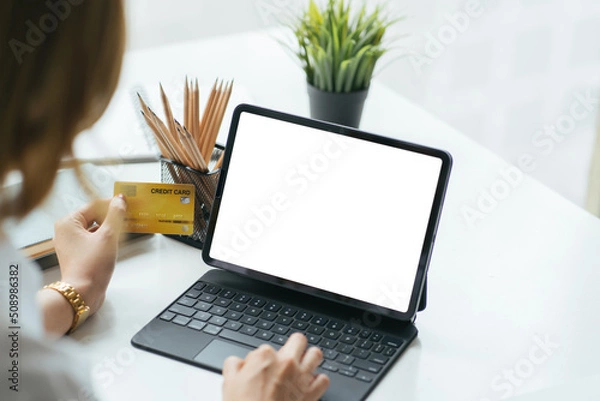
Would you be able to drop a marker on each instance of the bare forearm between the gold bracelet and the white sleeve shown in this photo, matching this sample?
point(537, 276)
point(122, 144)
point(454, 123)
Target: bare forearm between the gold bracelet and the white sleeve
point(57, 312)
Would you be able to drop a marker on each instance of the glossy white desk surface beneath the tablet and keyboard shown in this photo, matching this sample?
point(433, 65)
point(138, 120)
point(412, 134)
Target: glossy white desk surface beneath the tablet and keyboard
point(530, 268)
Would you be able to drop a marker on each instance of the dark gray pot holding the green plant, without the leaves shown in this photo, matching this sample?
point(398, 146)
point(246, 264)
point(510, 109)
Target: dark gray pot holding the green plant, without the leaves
point(341, 108)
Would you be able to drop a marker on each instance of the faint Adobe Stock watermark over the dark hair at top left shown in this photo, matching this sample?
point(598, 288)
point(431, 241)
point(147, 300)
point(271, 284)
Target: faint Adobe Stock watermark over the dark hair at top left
point(58, 11)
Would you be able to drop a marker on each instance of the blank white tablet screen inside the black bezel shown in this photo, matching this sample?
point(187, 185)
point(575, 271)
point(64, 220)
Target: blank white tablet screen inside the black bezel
point(332, 212)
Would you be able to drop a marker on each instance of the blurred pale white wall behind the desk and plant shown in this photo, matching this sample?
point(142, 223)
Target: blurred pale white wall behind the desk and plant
point(509, 73)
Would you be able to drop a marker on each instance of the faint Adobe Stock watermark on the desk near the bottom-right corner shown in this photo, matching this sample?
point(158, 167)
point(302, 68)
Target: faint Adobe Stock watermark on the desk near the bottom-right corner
point(506, 383)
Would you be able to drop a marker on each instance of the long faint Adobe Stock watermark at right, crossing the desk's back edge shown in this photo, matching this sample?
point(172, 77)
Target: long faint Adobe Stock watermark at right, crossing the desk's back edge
point(544, 141)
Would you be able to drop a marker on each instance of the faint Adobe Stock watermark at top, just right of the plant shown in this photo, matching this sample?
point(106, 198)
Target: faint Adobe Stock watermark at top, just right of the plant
point(439, 40)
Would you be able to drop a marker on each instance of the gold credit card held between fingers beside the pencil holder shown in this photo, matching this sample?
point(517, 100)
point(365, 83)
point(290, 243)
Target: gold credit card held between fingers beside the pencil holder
point(158, 208)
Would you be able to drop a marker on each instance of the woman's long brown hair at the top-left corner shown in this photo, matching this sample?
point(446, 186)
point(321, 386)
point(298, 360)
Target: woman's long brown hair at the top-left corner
point(60, 61)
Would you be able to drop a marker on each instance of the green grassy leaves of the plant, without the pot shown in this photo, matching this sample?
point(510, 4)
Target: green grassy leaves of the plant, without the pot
point(339, 49)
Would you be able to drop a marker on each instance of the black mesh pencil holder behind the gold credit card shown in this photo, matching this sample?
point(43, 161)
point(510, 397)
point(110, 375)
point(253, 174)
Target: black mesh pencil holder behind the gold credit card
point(205, 184)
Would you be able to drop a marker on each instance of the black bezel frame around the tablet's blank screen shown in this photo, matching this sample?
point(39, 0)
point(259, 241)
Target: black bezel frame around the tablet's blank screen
point(432, 225)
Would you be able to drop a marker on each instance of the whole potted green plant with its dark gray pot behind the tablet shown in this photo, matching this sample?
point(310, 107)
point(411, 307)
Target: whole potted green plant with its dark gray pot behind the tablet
point(338, 50)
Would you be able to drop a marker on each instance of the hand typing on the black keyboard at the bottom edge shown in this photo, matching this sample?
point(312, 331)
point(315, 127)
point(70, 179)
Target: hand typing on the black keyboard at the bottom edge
point(267, 375)
